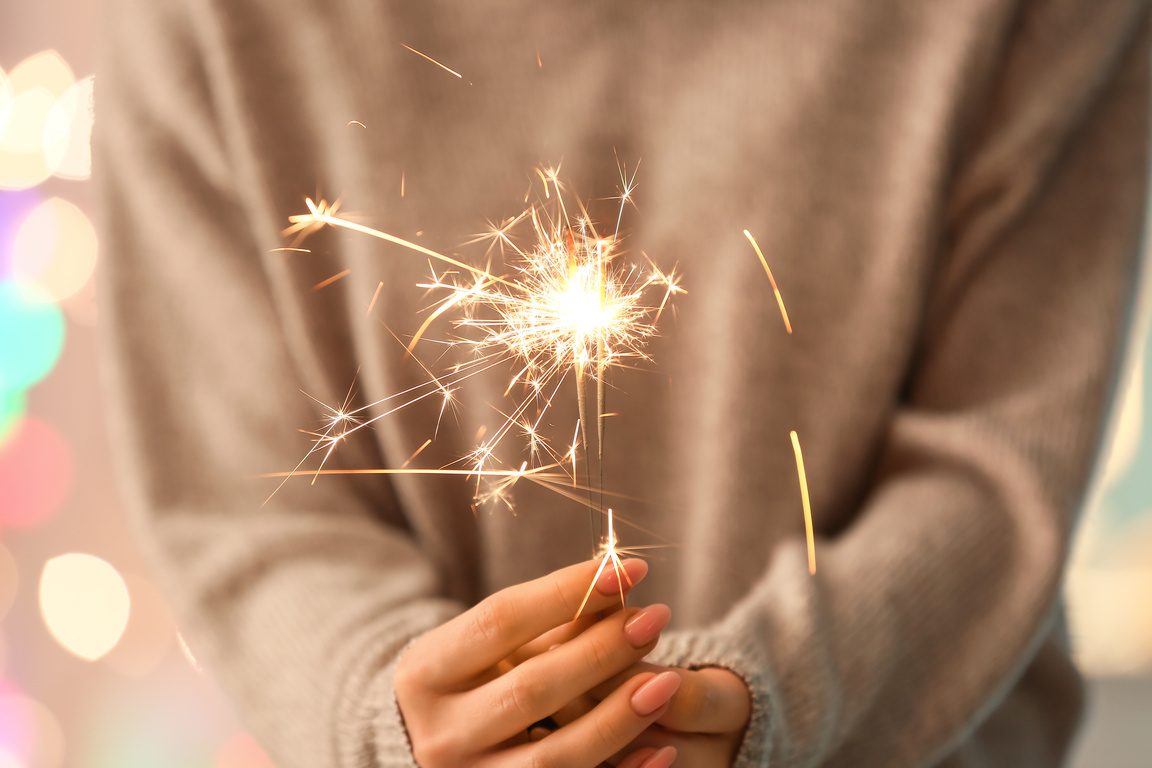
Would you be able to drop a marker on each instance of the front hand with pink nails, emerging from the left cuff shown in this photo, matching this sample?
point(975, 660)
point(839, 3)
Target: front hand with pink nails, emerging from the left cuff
point(471, 689)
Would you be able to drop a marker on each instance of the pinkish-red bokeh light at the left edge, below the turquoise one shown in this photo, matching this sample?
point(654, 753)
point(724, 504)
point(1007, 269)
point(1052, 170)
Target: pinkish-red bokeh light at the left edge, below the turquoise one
point(36, 473)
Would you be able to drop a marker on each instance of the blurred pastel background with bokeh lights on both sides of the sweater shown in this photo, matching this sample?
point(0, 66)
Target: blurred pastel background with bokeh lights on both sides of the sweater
point(93, 671)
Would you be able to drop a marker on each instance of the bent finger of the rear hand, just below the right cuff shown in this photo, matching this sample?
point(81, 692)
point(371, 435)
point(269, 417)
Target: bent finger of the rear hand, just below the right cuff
point(711, 701)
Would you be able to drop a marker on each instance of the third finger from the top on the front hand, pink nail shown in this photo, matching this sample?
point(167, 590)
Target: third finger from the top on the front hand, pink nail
point(611, 727)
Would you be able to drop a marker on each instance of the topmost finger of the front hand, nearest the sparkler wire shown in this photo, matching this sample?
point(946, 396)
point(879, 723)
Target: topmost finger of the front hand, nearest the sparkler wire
point(513, 618)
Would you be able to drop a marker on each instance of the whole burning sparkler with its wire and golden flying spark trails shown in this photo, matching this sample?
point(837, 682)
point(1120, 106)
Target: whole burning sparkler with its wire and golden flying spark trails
point(567, 308)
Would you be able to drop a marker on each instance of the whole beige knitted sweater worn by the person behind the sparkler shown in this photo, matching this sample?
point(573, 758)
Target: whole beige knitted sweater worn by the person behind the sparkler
point(950, 193)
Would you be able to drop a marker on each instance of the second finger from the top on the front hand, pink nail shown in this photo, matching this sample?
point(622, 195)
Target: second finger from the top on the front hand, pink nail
point(544, 685)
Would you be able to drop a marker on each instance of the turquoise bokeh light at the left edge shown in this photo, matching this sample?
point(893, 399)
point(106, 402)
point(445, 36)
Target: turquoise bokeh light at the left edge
point(34, 336)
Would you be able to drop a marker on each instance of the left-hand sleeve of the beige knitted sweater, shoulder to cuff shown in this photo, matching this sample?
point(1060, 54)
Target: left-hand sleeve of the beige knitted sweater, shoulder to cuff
point(299, 604)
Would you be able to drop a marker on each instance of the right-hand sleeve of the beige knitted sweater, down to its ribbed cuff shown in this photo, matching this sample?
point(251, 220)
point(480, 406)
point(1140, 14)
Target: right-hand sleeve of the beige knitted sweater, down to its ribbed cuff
point(927, 612)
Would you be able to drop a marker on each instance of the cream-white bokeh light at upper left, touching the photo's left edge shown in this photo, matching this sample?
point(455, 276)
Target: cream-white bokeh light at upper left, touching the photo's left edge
point(34, 89)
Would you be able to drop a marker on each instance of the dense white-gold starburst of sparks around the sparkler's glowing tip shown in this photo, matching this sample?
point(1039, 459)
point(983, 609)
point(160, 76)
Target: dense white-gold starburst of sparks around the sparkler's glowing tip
point(566, 311)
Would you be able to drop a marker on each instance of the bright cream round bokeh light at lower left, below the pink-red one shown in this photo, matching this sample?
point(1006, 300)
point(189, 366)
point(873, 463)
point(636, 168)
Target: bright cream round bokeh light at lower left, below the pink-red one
point(85, 603)
